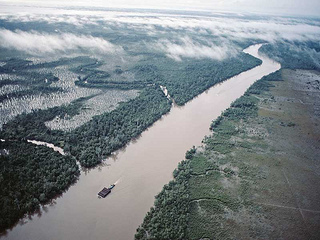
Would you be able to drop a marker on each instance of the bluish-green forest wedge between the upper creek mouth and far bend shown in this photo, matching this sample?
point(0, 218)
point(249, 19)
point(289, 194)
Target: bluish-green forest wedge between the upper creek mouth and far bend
point(186, 79)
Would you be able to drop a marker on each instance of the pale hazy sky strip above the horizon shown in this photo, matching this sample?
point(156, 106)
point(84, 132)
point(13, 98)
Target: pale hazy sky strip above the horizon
point(283, 7)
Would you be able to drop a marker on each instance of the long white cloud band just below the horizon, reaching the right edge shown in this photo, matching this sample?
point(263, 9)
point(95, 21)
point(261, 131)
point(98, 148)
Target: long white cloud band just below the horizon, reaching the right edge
point(237, 28)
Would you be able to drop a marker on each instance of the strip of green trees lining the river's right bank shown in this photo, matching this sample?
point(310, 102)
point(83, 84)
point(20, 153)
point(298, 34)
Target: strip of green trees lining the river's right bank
point(173, 215)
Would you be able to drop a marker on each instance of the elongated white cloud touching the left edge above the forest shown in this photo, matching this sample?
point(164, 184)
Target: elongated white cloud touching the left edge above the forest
point(36, 43)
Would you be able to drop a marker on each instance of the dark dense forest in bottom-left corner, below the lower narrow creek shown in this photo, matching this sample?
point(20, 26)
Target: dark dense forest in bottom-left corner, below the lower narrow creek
point(29, 176)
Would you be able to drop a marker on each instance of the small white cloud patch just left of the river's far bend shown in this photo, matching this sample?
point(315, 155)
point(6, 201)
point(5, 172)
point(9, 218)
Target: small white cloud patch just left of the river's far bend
point(191, 49)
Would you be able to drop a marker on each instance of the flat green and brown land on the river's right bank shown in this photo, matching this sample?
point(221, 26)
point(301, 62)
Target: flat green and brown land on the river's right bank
point(256, 176)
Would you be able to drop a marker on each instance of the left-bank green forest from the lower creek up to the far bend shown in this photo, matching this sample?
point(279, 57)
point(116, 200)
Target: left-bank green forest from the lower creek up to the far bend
point(95, 140)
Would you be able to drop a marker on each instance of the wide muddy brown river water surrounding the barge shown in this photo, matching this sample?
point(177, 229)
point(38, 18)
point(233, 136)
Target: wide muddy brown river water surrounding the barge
point(140, 170)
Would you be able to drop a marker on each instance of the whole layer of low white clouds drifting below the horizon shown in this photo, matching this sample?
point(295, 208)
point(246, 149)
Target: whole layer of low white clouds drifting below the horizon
point(227, 28)
